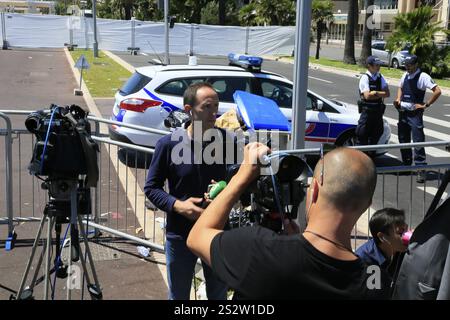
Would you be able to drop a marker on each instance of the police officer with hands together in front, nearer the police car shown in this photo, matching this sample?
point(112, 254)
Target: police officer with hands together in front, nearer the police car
point(373, 88)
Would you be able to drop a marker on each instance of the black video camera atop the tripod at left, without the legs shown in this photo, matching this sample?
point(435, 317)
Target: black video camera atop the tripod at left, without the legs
point(63, 151)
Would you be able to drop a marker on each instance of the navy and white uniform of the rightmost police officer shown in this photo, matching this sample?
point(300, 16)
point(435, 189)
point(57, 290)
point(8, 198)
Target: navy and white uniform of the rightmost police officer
point(410, 120)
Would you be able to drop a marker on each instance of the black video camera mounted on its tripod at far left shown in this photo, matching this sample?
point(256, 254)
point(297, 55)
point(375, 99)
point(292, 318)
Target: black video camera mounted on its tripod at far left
point(66, 154)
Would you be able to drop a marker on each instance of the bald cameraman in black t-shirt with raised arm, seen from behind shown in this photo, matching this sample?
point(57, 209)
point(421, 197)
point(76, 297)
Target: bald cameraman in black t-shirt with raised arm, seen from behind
point(318, 264)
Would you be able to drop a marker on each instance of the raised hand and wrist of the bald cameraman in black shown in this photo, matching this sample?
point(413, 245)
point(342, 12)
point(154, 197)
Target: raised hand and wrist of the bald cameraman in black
point(250, 167)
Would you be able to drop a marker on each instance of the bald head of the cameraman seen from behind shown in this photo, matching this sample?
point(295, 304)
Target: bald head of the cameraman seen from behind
point(349, 179)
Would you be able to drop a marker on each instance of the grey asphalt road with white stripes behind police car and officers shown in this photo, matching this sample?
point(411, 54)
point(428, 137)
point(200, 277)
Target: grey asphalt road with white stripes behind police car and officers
point(399, 191)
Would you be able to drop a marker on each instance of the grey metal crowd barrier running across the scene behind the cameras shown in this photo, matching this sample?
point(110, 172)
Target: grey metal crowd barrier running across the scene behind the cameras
point(120, 207)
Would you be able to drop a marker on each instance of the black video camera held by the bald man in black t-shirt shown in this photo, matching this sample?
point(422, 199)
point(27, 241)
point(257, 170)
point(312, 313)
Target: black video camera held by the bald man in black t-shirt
point(272, 198)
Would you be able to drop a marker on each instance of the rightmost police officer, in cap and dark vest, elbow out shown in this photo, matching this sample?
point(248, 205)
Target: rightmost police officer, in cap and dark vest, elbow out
point(411, 104)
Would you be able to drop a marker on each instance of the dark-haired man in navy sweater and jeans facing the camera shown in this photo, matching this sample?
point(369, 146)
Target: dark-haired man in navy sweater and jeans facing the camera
point(181, 158)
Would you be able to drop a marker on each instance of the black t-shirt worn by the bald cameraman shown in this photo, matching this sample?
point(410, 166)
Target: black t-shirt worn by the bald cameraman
point(260, 264)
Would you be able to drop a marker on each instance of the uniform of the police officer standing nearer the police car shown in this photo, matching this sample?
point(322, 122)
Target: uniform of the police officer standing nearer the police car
point(370, 125)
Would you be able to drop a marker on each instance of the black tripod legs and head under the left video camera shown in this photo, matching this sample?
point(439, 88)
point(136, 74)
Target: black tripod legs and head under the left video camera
point(55, 214)
